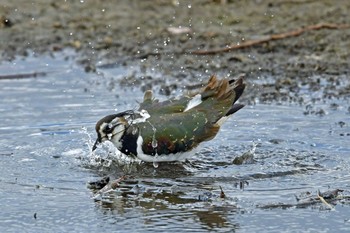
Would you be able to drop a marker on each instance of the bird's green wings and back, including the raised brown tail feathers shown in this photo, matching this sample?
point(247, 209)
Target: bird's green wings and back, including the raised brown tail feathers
point(178, 125)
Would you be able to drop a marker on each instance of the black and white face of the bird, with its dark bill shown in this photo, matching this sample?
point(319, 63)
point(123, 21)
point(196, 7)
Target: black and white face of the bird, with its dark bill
point(110, 128)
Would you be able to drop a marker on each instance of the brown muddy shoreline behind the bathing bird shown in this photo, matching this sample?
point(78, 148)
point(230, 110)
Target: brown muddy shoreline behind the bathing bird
point(157, 37)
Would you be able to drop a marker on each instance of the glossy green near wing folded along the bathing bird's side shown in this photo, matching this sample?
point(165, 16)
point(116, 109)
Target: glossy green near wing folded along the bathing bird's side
point(177, 132)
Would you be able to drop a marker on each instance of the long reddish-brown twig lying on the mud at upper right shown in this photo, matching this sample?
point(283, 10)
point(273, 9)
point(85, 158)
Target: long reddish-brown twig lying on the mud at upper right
point(293, 33)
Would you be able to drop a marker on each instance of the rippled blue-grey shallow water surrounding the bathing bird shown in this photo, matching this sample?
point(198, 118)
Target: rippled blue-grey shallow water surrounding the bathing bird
point(45, 127)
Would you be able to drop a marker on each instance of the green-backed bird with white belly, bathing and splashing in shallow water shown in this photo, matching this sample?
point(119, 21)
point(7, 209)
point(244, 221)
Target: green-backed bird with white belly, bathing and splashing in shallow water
point(169, 130)
